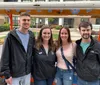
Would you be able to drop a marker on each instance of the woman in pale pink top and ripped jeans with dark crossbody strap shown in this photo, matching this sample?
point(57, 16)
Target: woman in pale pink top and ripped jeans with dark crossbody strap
point(64, 75)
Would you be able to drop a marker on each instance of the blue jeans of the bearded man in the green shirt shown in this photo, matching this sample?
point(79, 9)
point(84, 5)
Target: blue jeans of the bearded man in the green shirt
point(82, 82)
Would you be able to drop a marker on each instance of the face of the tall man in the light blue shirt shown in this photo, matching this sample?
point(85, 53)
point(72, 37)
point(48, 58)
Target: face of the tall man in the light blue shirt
point(24, 22)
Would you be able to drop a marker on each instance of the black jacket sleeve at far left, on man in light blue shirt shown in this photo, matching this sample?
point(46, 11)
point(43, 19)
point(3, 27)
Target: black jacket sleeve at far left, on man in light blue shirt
point(5, 58)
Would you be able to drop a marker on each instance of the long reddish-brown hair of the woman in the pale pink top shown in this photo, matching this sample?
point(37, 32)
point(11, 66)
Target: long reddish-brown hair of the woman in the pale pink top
point(59, 41)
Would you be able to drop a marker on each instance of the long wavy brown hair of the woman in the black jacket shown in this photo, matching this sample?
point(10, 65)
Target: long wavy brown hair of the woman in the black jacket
point(39, 40)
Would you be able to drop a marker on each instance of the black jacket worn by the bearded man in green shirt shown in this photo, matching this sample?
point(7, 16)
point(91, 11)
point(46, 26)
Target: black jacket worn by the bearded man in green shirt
point(88, 64)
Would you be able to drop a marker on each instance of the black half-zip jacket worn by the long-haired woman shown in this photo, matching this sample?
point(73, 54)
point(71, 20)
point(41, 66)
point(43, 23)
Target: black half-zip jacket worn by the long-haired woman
point(44, 65)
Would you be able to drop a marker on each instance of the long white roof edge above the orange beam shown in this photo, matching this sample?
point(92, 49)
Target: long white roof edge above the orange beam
point(51, 5)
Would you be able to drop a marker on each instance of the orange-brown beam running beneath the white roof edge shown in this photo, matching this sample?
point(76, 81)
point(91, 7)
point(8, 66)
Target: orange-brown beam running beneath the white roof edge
point(38, 12)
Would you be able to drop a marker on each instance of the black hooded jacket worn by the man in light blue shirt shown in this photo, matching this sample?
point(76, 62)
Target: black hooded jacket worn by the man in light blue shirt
point(15, 61)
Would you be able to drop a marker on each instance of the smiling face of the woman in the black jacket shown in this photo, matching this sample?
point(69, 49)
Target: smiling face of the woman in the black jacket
point(46, 34)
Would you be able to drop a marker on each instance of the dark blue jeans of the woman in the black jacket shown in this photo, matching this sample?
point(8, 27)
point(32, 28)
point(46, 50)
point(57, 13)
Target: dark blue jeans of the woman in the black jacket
point(43, 82)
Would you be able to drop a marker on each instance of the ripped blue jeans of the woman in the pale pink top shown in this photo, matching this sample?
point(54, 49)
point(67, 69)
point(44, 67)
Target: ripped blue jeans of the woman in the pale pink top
point(64, 77)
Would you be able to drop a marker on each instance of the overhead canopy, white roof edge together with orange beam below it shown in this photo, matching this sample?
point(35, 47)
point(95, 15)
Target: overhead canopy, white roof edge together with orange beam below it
point(52, 8)
